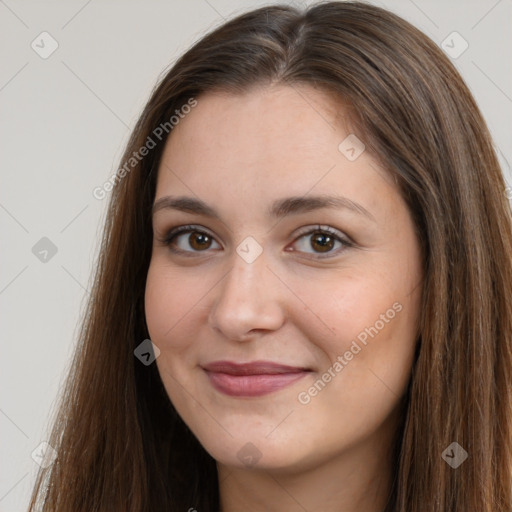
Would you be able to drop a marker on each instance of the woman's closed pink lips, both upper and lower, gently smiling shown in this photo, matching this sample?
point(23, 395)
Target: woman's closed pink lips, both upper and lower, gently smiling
point(253, 379)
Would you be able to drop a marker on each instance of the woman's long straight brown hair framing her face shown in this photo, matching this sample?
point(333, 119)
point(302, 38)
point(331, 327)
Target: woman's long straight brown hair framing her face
point(121, 445)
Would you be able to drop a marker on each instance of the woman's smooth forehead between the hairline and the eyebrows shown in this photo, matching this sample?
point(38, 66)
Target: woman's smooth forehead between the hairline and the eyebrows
point(263, 144)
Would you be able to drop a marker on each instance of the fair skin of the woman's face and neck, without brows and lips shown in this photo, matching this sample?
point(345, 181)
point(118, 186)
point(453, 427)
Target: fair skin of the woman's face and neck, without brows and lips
point(302, 302)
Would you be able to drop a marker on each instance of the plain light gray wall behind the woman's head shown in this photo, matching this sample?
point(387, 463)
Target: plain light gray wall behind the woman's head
point(63, 124)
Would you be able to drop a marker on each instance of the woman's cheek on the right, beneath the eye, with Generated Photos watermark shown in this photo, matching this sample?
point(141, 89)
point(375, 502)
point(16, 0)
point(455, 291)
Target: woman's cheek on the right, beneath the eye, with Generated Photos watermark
point(368, 320)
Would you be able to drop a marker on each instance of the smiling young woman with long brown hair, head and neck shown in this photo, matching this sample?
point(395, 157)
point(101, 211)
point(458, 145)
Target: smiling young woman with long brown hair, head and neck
point(310, 225)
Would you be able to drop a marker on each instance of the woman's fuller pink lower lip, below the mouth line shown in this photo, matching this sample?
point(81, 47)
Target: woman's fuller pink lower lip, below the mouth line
point(252, 385)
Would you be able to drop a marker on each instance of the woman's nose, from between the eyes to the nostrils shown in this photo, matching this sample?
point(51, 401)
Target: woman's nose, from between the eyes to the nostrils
point(249, 300)
